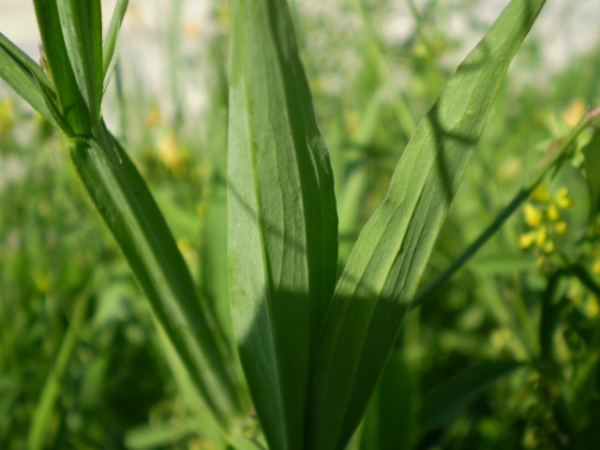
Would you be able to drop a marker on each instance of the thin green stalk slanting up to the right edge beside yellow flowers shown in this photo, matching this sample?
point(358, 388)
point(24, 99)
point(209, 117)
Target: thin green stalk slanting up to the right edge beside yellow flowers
point(553, 160)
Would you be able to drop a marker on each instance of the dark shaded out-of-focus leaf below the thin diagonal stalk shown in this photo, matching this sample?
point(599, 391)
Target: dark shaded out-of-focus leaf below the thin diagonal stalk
point(452, 396)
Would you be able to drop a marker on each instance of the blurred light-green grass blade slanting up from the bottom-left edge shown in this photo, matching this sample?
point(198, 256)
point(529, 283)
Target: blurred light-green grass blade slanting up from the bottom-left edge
point(42, 416)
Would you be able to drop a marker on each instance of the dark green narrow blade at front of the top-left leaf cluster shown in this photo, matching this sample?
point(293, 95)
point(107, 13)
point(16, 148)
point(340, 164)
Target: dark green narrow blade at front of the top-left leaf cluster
point(73, 106)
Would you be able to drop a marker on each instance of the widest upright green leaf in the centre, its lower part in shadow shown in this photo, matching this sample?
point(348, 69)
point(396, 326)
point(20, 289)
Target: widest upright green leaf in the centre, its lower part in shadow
point(282, 217)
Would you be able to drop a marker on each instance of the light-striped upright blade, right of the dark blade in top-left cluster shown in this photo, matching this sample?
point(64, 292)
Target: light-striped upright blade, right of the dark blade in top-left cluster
point(81, 23)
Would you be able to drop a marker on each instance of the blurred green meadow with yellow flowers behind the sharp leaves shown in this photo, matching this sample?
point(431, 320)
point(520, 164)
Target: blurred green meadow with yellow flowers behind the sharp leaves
point(71, 314)
